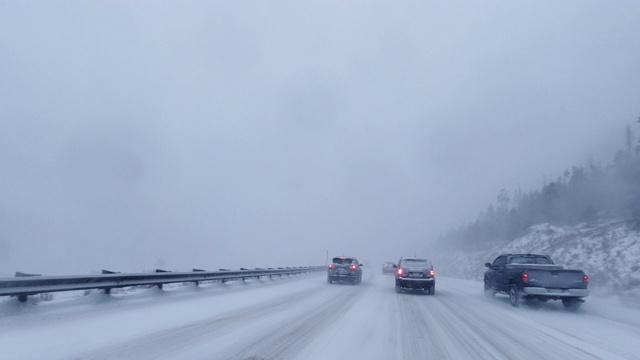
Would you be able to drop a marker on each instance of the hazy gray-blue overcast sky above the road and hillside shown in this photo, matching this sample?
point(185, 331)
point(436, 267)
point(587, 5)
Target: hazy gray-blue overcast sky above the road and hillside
point(180, 134)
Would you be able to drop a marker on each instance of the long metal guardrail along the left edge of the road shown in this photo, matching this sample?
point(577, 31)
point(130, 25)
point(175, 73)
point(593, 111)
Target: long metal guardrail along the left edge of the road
point(24, 285)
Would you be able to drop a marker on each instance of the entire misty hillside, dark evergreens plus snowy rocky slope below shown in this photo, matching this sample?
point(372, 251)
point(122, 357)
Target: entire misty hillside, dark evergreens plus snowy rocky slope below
point(587, 218)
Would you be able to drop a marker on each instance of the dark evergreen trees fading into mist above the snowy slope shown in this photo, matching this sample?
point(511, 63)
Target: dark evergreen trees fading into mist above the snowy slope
point(582, 194)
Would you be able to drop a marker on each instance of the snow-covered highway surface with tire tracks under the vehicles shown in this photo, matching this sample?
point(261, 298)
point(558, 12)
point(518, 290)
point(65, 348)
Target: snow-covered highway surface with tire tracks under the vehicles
point(306, 318)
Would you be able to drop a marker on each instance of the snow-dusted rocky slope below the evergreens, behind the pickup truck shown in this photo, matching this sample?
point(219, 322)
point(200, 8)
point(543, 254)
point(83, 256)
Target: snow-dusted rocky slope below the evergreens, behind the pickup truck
point(608, 252)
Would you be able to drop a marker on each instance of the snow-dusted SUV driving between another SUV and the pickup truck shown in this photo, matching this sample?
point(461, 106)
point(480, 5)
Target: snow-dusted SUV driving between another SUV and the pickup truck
point(415, 273)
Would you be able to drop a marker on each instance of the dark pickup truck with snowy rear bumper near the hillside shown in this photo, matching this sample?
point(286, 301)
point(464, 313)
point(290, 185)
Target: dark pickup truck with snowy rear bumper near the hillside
point(535, 277)
